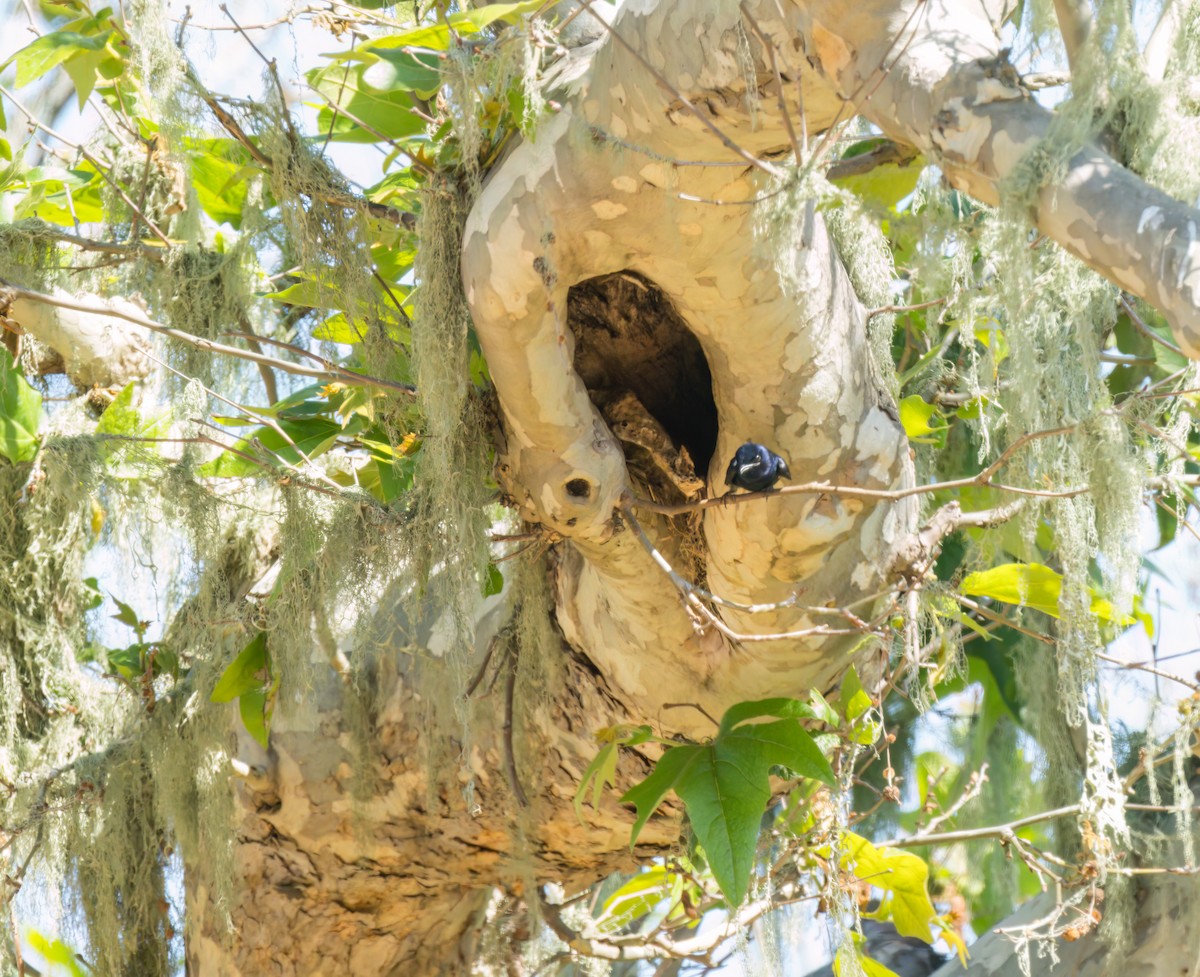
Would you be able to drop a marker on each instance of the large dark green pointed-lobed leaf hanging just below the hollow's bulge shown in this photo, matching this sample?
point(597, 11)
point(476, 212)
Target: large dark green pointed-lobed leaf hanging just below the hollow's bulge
point(725, 787)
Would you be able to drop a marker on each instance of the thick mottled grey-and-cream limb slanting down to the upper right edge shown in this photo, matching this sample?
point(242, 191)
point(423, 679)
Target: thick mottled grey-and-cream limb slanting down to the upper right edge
point(949, 91)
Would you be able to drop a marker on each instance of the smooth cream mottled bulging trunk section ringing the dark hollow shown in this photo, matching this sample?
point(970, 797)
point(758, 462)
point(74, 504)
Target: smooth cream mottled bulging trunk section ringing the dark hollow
point(604, 190)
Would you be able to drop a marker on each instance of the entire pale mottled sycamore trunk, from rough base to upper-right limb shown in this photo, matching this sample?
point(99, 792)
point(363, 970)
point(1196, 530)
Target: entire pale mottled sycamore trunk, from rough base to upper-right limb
point(650, 169)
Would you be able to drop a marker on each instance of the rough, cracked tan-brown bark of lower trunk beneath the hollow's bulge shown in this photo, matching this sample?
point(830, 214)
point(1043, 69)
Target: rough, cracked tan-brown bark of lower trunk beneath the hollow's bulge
point(401, 882)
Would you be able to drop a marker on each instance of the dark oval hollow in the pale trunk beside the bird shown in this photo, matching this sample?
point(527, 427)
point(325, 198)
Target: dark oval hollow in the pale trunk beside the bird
point(629, 339)
